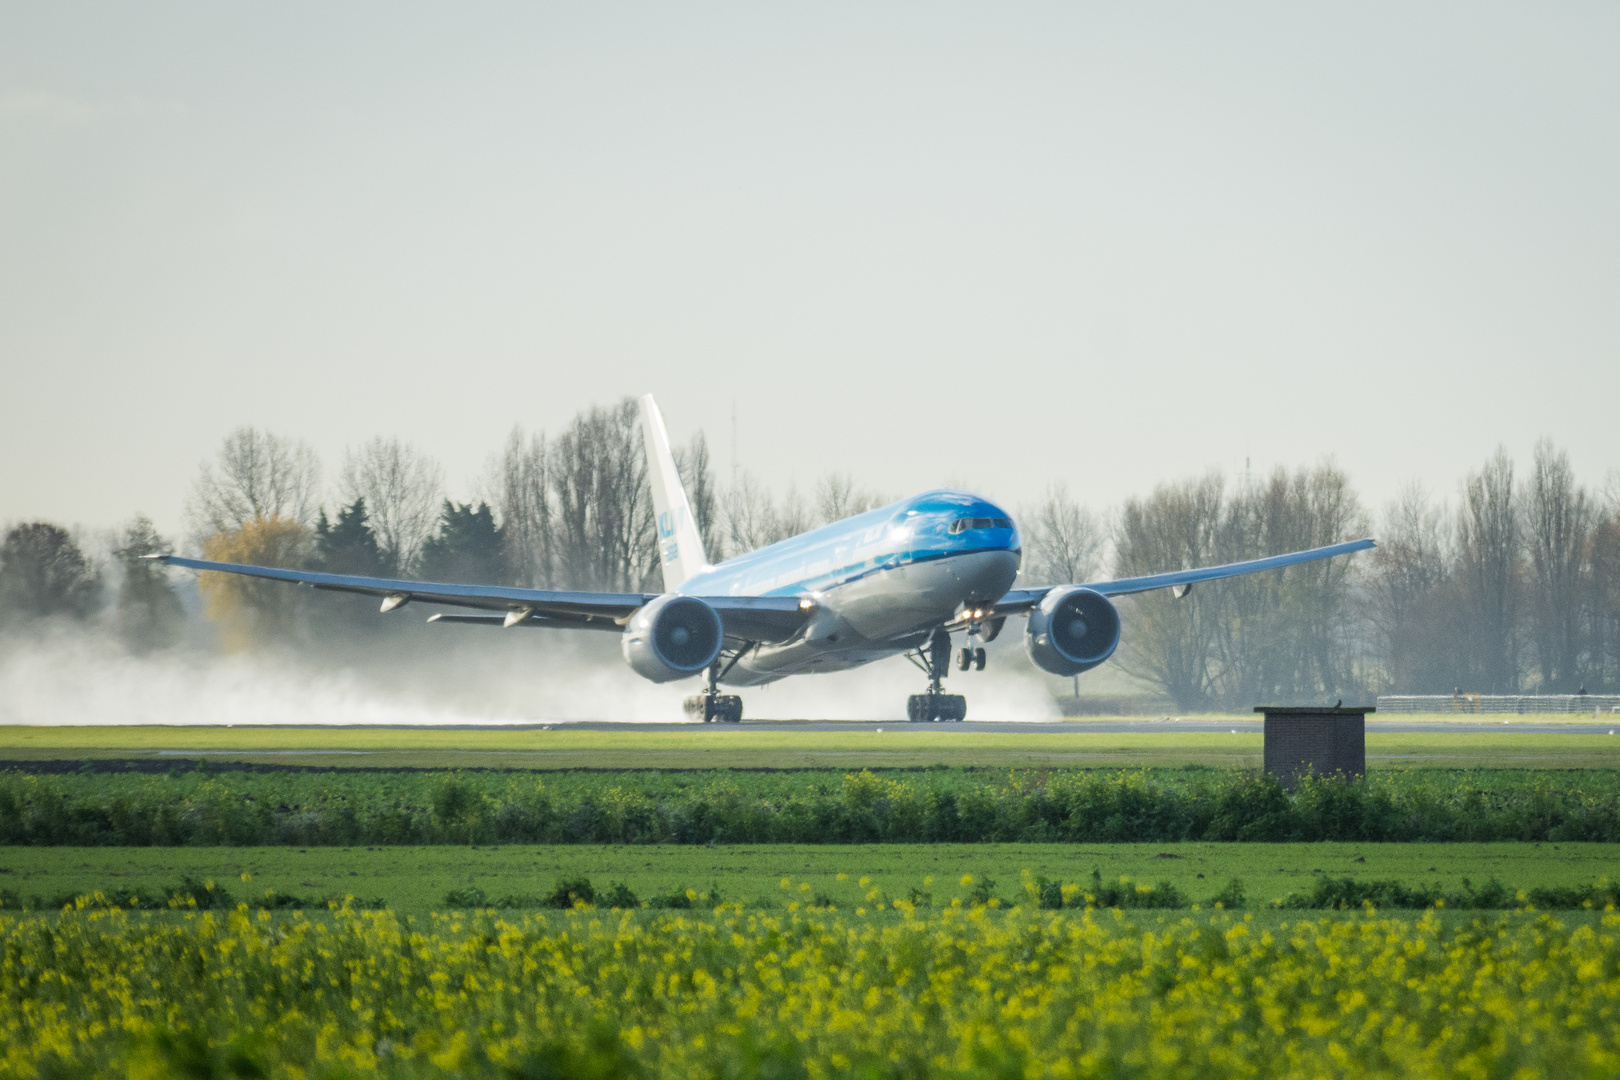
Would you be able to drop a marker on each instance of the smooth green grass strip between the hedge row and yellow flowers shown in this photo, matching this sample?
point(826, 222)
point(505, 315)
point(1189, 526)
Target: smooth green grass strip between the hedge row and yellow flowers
point(416, 880)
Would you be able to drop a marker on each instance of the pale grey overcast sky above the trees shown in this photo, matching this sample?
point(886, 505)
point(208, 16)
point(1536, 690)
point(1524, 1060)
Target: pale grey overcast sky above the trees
point(986, 245)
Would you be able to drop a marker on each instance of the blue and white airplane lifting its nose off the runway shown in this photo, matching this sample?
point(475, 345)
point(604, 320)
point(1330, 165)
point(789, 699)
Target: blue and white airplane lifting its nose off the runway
point(900, 580)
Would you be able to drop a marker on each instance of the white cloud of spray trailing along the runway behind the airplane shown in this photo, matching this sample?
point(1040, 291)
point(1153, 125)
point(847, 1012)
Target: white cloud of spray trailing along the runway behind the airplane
point(477, 678)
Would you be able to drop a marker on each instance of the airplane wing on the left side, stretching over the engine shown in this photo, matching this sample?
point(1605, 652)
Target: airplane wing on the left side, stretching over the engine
point(748, 618)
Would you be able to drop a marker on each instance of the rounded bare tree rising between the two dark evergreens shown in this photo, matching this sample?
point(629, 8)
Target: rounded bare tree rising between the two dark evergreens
point(403, 490)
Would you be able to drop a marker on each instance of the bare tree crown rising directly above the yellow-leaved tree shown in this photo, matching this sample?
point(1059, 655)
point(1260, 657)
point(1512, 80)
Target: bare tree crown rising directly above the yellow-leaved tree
point(255, 477)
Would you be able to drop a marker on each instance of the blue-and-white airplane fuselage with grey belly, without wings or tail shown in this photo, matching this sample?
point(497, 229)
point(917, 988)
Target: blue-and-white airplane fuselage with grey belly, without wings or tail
point(880, 580)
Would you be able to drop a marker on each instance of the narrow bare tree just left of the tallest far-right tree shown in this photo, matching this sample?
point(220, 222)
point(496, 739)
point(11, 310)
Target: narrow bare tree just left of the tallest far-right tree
point(1490, 553)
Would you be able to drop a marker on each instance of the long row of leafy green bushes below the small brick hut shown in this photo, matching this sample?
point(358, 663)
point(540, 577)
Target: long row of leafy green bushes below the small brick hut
point(1076, 806)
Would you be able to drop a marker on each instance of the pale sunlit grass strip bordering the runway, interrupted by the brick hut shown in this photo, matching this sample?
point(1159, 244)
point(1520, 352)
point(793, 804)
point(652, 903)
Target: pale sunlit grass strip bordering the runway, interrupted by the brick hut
point(722, 747)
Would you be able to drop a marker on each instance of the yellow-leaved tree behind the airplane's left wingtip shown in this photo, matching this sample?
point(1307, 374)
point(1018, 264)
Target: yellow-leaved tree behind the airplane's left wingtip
point(254, 611)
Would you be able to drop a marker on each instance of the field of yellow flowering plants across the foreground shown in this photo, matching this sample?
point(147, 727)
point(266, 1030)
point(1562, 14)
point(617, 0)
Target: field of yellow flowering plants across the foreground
point(880, 992)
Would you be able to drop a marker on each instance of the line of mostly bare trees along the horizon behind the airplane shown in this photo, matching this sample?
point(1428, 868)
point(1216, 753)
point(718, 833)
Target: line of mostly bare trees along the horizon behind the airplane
point(1511, 587)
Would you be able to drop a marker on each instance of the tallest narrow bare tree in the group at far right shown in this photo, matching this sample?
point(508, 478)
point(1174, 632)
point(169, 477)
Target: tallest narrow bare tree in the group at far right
point(1558, 529)
